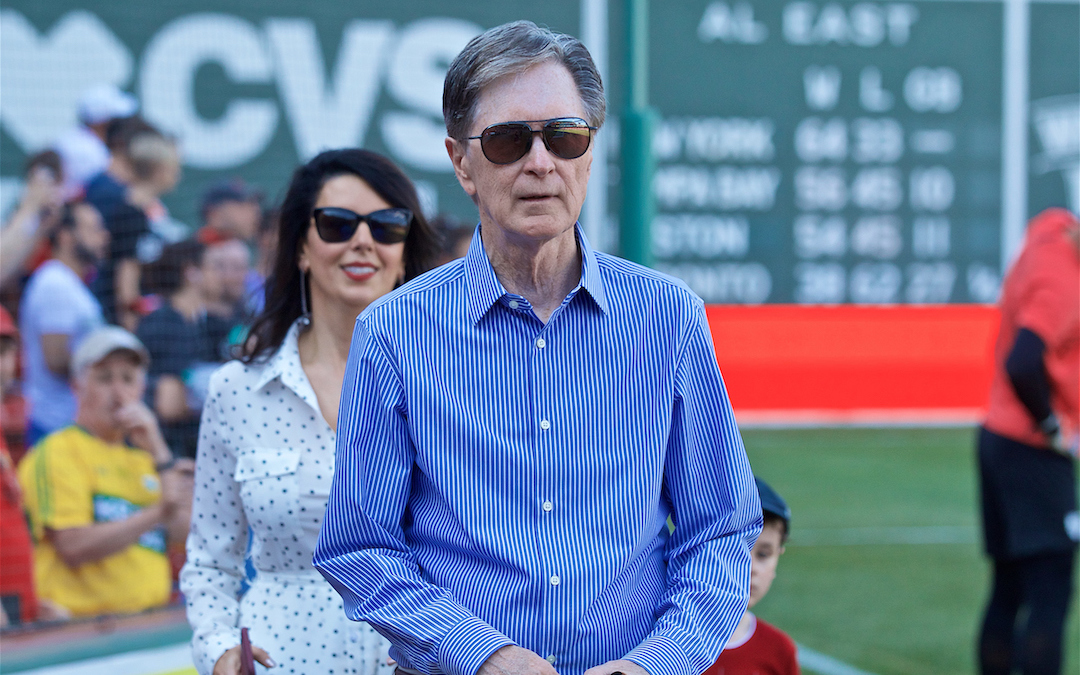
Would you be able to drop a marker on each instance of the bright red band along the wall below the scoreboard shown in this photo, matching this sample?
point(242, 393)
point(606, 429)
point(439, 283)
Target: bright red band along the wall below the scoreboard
point(792, 364)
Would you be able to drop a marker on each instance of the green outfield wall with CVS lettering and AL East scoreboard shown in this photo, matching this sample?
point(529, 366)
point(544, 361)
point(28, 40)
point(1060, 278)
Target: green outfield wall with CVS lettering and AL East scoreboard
point(806, 153)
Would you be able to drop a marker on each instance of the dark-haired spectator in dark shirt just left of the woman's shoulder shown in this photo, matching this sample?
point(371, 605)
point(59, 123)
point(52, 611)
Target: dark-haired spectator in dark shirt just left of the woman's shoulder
point(182, 347)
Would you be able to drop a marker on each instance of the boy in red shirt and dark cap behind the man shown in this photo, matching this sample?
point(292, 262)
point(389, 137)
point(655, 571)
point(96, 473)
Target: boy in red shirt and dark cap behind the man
point(757, 647)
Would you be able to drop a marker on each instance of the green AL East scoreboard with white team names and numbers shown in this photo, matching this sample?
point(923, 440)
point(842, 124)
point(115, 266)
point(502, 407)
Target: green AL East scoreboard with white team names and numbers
point(865, 153)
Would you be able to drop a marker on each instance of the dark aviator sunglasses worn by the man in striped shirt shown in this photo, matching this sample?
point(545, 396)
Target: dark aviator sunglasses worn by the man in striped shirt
point(507, 143)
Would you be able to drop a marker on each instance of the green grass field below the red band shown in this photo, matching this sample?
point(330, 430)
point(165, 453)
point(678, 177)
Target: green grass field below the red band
point(885, 570)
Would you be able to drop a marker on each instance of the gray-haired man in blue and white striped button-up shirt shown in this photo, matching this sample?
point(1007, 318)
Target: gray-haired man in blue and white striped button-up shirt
point(518, 427)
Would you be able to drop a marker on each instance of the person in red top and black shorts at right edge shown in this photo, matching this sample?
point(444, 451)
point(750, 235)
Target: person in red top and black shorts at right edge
point(1028, 452)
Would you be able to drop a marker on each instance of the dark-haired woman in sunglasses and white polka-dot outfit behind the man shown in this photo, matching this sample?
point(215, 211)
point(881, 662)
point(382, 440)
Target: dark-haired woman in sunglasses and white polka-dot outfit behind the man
point(350, 231)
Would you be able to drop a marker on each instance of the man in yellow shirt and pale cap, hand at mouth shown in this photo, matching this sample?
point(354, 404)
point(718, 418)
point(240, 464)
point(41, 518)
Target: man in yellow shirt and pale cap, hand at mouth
point(102, 510)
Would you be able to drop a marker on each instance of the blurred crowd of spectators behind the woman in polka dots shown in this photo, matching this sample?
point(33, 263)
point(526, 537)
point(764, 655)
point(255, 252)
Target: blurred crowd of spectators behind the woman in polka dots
point(89, 256)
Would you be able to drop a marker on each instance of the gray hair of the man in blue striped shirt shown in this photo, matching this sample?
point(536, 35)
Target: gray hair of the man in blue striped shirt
point(512, 49)
